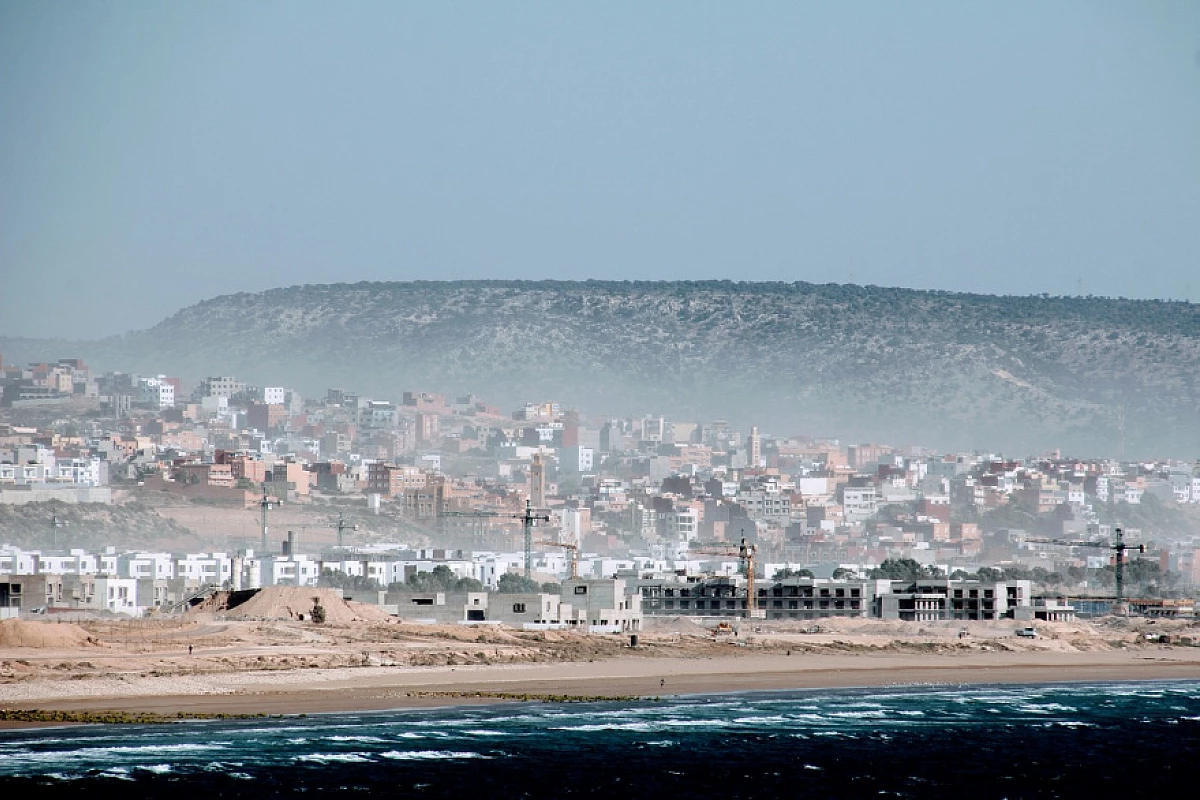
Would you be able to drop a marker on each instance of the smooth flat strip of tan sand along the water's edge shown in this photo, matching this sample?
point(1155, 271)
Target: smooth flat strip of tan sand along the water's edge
point(380, 689)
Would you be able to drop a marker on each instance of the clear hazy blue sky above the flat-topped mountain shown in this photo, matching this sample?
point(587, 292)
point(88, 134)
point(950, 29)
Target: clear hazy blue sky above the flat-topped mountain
point(157, 154)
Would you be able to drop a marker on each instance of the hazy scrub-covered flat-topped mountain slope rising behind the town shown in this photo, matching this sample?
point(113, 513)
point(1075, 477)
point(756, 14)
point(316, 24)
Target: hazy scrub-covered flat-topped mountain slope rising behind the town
point(904, 366)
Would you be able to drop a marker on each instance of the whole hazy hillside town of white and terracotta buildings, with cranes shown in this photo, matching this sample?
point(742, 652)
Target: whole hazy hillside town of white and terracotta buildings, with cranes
point(448, 509)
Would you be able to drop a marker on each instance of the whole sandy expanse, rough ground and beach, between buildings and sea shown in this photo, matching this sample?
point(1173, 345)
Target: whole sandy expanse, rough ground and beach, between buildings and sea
point(259, 669)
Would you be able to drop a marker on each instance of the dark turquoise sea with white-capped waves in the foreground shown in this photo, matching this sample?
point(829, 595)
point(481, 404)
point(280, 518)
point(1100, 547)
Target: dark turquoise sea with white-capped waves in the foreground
point(1095, 741)
